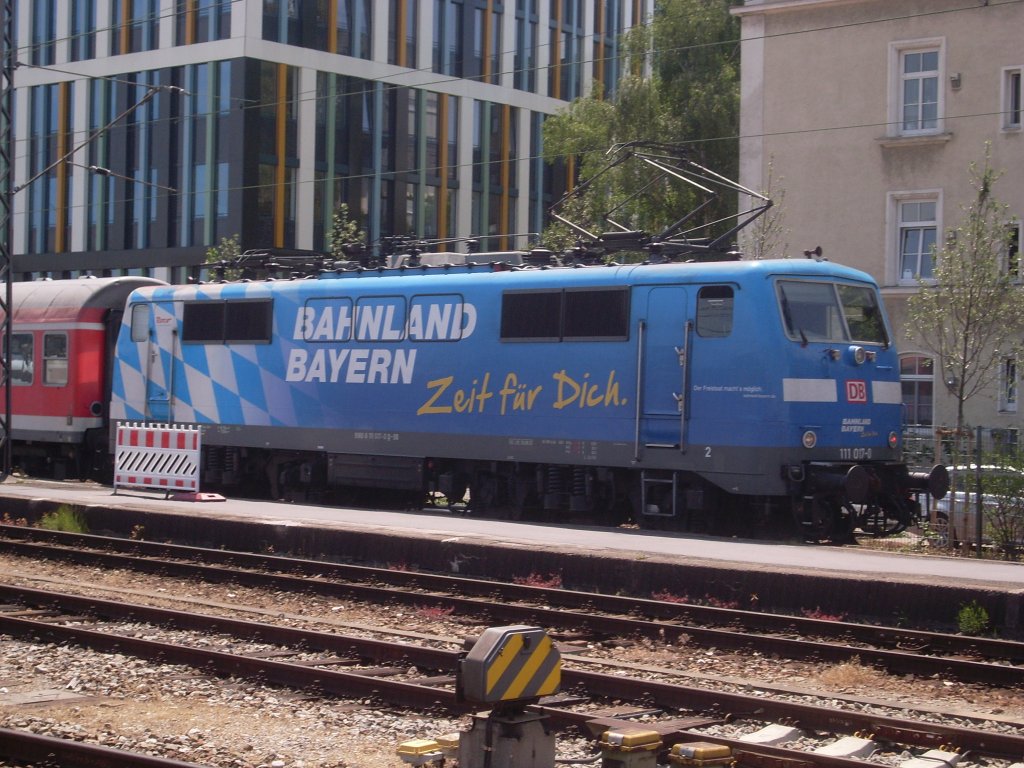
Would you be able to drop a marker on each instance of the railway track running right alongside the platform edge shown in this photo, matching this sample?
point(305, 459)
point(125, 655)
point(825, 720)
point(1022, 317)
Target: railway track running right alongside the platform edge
point(906, 652)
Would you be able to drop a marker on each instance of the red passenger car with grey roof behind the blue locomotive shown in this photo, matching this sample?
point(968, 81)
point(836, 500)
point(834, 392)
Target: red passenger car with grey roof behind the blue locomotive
point(62, 343)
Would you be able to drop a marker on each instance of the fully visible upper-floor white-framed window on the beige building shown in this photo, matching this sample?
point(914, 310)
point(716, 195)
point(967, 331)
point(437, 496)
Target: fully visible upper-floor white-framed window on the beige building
point(917, 99)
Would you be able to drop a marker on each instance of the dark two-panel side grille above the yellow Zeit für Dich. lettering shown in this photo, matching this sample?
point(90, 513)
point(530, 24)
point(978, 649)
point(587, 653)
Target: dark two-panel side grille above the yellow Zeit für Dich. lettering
point(594, 315)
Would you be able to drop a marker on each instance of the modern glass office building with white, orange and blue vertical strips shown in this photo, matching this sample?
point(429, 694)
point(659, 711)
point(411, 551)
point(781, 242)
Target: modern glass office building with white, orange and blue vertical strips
point(149, 131)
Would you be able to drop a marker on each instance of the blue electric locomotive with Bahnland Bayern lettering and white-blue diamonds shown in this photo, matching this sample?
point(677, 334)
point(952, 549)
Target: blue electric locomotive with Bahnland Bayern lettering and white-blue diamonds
point(682, 395)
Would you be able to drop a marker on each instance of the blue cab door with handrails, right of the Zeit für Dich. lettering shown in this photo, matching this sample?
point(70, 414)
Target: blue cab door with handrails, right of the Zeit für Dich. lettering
point(665, 339)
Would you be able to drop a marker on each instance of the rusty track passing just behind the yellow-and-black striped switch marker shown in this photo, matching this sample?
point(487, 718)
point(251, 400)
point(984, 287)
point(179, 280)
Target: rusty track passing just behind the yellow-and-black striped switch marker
point(412, 676)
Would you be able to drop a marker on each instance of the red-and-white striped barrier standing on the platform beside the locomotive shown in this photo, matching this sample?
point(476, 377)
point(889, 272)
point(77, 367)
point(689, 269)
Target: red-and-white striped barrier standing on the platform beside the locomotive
point(161, 457)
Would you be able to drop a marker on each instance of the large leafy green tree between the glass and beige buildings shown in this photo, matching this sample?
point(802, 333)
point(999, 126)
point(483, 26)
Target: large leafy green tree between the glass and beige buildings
point(691, 98)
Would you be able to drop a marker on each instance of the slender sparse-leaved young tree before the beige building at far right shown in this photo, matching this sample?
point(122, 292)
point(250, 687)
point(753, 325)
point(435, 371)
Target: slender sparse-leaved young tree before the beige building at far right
point(970, 316)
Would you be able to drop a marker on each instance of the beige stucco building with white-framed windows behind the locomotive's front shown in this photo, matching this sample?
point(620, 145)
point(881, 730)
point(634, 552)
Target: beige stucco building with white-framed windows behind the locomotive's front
point(867, 115)
